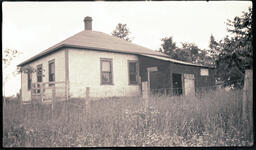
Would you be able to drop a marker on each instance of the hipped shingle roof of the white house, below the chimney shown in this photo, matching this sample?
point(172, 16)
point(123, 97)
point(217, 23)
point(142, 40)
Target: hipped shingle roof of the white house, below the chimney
point(95, 40)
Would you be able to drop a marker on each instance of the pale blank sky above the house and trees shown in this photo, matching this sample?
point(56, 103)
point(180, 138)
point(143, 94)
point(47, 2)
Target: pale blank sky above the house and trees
point(31, 27)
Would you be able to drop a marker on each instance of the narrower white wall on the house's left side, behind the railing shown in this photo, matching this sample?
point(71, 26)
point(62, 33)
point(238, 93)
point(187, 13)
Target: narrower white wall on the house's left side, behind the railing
point(59, 58)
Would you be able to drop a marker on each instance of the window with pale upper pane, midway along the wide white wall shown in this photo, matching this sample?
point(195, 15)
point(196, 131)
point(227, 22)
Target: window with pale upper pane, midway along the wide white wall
point(106, 71)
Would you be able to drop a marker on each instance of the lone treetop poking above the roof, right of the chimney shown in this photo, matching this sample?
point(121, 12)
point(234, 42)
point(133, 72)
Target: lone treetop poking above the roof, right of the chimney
point(122, 32)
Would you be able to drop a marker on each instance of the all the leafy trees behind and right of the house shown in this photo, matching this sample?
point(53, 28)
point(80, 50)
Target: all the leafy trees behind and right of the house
point(230, 56)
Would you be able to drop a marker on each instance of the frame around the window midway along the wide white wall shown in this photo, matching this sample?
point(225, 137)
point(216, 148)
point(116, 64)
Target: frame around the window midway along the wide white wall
point(111, 71)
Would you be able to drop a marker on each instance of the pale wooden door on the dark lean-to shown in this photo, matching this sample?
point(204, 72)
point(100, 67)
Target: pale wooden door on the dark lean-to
point(189, 84)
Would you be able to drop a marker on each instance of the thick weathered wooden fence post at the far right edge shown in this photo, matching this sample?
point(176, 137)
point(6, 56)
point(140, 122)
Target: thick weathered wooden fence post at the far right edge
point(247, 103)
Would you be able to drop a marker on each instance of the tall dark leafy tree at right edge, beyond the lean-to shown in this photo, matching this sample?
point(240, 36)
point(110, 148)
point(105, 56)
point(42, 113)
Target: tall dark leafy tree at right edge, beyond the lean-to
point(236, 52)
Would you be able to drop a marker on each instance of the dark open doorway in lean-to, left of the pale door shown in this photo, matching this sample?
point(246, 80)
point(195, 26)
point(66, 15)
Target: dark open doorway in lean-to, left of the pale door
point(177, 84)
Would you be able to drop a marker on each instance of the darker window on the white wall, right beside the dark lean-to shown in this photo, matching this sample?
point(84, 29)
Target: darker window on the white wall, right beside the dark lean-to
point(132, 66)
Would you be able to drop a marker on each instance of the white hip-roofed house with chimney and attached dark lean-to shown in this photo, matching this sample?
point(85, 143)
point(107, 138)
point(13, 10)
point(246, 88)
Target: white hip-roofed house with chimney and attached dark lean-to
point(95, 64)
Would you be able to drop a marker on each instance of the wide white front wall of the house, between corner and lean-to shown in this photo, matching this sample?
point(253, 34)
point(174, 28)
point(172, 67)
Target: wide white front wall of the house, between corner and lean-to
point(84, 72)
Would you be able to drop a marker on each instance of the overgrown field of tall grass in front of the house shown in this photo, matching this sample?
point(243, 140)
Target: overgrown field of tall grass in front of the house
point(213, 119)
